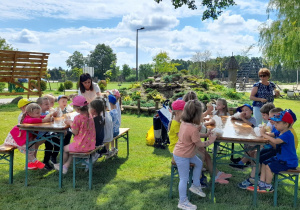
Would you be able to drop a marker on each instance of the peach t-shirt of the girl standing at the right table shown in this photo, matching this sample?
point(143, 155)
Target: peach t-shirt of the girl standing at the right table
point(188, 140)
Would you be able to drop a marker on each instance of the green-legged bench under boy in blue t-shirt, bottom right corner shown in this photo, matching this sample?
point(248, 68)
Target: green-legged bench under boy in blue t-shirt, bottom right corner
point(292, 175)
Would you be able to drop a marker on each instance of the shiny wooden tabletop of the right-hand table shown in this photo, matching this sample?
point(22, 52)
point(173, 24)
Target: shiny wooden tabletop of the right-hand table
point(236, 131)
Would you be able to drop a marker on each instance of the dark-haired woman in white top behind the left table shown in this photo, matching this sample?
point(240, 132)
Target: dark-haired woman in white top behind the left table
point(87, 88)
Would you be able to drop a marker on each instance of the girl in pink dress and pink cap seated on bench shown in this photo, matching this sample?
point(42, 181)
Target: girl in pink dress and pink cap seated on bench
point(83, 128)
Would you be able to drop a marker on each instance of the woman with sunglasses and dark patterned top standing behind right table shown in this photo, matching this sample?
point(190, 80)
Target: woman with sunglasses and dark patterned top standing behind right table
point(262, 92)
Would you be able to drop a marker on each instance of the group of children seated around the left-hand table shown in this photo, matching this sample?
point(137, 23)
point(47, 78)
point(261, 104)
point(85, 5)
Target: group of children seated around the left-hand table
point(94, 125)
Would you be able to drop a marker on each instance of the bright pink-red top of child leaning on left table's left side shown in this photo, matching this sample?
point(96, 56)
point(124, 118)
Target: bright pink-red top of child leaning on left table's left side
point(20, 135)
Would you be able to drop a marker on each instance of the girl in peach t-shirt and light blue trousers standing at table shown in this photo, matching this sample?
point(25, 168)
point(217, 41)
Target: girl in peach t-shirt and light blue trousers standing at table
point(184, 152)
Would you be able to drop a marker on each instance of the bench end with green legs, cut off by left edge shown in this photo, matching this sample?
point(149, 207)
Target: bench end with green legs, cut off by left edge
point(7, 154)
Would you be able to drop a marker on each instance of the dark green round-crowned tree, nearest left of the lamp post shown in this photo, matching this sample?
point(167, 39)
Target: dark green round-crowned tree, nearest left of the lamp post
point(101, 59)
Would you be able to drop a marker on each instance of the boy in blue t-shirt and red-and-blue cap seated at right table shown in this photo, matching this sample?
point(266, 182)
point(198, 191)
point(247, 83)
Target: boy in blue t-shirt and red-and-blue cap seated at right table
point(286, 157)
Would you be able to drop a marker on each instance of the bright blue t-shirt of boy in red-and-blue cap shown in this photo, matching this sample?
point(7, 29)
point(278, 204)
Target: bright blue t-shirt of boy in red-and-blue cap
point(287, 151)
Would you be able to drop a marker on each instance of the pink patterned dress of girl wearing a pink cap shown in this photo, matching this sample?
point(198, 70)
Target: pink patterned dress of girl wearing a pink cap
point(85, 140)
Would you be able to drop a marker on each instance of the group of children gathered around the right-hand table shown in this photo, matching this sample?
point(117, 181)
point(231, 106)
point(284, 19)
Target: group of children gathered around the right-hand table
point(186, 131)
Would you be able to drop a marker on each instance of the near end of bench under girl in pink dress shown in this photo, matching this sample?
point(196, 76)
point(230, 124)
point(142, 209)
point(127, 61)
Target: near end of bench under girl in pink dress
point(80, 158)
